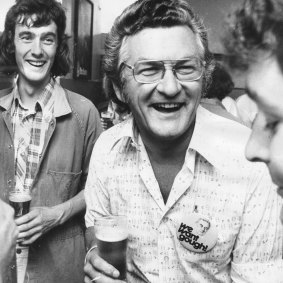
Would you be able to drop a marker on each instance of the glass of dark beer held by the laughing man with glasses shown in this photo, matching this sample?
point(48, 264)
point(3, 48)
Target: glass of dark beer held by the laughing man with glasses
point(111, 234)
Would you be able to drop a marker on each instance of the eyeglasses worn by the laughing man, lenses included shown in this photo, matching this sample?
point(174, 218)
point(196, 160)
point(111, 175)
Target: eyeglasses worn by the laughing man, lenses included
point(152, 71)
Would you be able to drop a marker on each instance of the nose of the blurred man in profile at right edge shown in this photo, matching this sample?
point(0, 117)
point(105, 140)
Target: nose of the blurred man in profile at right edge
point(257, 148)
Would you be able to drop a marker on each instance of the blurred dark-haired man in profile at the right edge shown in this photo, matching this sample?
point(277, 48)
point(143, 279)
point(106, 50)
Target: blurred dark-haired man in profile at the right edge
point(255, 45)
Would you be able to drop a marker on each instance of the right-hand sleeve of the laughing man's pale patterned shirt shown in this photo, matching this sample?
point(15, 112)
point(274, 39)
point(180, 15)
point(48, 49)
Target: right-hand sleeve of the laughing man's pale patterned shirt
point(257, 253)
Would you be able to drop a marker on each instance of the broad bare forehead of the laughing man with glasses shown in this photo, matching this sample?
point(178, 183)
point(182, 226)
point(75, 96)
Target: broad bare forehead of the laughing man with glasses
point(162, 43)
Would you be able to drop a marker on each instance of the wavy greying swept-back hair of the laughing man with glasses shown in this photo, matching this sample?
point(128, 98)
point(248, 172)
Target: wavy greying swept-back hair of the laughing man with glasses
point(150, 14)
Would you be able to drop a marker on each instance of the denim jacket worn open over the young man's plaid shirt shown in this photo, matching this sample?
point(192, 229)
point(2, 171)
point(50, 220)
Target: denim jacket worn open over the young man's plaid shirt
point(58, 256)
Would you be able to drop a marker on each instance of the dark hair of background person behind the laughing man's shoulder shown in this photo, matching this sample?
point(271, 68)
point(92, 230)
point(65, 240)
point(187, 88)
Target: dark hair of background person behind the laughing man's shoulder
point(221, 83)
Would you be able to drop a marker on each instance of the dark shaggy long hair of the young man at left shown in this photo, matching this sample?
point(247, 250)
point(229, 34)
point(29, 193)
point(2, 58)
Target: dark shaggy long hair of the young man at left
point(46, 11)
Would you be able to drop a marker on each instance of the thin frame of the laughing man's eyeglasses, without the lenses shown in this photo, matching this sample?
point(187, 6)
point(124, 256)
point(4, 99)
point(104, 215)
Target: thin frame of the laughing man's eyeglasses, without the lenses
point(202, 63)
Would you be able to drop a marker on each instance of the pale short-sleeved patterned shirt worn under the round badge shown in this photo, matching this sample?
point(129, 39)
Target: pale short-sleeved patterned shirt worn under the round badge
point(238, 196)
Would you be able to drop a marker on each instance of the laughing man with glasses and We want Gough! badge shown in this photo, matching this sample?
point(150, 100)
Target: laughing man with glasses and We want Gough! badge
point(173, 162)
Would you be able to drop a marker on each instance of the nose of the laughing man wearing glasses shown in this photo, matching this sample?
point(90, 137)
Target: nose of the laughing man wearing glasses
point(169, 85)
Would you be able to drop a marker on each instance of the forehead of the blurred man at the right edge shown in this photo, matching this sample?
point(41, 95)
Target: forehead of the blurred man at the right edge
point(264, 83)
